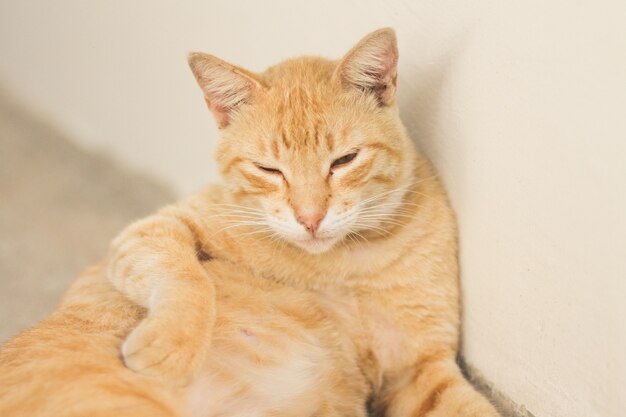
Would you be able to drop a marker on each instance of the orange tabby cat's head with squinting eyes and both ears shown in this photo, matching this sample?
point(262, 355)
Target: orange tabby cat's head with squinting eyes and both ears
point(313, 149)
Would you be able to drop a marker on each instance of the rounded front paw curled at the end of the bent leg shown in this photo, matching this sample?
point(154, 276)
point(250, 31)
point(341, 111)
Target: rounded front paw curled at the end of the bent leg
point(170, 349)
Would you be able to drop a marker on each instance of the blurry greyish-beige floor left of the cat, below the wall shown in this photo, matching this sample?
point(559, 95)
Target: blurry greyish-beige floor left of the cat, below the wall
point(59, 208)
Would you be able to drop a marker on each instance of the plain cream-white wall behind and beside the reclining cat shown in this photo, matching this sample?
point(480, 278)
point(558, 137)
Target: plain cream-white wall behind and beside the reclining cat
point(521, 105)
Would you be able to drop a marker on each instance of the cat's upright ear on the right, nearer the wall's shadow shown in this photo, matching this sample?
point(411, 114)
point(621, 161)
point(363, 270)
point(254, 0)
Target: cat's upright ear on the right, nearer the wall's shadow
point(371, 66)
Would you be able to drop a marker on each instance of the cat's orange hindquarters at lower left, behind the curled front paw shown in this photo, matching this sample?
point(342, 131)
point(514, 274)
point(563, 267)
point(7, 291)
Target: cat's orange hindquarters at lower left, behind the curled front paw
point(68, 365)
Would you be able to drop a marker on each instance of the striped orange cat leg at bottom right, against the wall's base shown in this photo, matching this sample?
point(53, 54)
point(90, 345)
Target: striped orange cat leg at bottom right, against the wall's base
point(435, 387)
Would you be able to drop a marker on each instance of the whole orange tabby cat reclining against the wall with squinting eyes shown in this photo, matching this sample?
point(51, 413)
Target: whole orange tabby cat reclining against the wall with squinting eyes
point(322, 276)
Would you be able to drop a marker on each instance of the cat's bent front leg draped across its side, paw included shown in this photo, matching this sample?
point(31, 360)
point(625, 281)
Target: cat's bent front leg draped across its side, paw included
point(156, 262)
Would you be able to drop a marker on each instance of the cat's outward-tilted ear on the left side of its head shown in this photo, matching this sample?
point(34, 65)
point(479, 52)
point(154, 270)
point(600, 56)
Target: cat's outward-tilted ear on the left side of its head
point(225, 86)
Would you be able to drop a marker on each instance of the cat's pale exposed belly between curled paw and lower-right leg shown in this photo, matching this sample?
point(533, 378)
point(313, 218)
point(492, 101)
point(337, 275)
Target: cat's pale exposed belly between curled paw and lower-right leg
point(275, 352)
